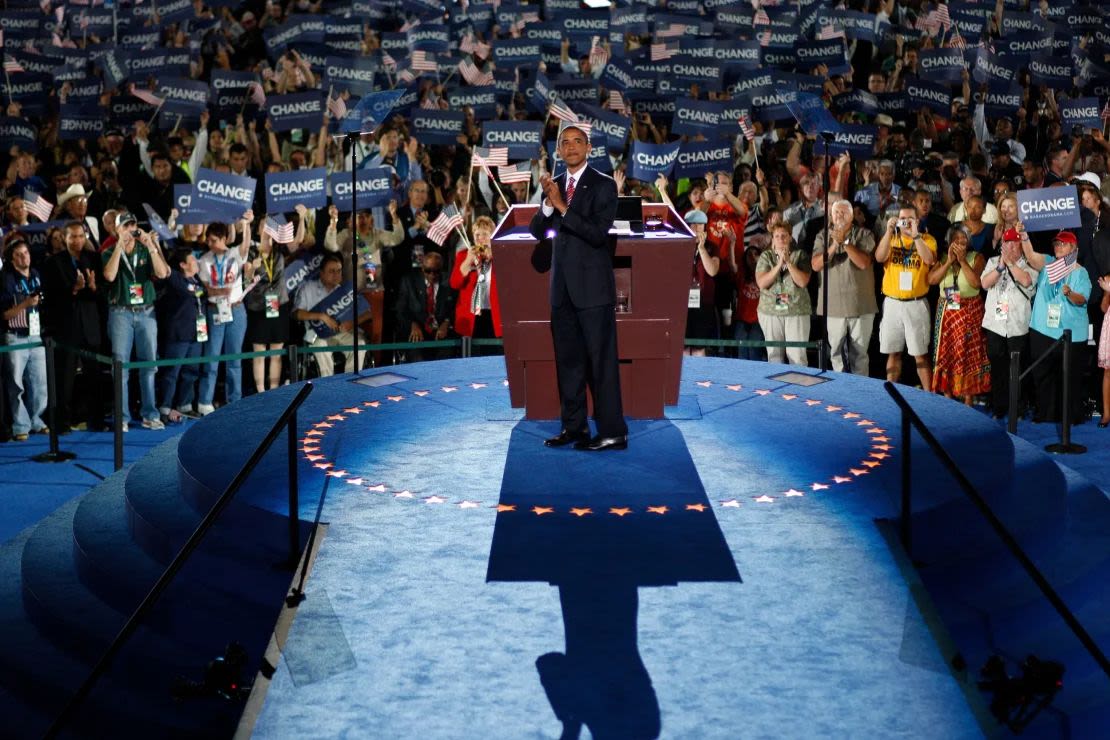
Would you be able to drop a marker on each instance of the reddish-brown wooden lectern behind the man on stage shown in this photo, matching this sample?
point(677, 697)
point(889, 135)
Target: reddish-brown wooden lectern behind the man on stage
point(653, 278)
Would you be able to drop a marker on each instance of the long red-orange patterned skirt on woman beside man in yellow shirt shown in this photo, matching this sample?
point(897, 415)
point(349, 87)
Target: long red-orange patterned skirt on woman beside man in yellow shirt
point(961, 366)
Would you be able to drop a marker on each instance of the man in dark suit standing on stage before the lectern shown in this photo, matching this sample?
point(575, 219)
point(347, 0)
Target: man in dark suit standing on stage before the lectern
point(580, 207)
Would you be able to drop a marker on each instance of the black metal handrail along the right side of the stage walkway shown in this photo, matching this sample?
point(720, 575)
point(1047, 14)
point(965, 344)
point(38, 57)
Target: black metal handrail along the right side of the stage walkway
point(911, 419)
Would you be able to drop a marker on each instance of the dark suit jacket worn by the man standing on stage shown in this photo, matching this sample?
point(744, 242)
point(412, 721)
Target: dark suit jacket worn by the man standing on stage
point(582, 255)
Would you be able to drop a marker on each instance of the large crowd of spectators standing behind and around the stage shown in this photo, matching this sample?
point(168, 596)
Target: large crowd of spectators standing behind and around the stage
point(924, 245)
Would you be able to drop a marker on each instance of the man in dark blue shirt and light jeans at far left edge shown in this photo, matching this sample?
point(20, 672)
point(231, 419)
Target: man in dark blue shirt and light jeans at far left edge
point(21, 301)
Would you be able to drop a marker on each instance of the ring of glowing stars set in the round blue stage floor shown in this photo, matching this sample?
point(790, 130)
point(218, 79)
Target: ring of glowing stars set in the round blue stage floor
point(880, 451)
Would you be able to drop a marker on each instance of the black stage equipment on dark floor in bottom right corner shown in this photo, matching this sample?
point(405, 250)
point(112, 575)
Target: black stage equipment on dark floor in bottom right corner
point(1018, 700)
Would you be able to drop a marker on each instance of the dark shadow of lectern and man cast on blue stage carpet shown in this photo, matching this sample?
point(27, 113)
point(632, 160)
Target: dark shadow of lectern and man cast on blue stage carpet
point(618, 522)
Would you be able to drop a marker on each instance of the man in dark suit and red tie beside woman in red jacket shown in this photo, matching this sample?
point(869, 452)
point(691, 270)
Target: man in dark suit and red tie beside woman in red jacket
point(426, 308)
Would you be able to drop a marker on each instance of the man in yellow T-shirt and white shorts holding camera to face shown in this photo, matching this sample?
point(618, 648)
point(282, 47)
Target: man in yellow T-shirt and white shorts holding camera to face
point(907, 256)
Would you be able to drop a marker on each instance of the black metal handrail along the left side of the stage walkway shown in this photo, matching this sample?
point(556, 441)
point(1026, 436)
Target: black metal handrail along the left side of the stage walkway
point(287, 420)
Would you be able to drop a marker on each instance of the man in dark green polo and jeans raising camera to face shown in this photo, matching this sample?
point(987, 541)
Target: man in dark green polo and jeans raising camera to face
point(132, 267)
